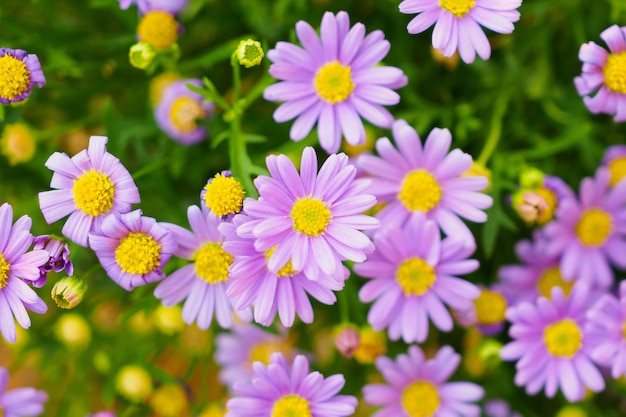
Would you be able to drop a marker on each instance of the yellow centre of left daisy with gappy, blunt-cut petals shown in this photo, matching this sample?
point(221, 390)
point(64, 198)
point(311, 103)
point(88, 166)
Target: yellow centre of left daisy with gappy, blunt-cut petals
point(93, 193)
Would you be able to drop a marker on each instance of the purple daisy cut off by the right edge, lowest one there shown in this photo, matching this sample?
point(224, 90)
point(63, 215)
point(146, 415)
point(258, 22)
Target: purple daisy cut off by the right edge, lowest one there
point(605, 322)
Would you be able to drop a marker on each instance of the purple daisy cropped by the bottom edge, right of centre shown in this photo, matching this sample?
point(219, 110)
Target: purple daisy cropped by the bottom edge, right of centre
point(417, 386)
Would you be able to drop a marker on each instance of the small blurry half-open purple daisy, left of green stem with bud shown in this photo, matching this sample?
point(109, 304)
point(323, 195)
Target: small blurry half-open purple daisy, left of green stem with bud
point(180, 109)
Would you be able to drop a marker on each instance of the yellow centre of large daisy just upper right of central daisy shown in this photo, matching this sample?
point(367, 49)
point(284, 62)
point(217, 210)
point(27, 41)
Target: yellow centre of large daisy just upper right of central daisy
point(420, 191)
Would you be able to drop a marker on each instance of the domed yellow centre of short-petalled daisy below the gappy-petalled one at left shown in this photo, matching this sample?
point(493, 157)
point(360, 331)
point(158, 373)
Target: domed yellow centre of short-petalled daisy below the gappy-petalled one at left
point(138, 254)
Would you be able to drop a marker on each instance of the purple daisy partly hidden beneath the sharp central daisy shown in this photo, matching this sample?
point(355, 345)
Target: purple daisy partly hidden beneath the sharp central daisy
point(283, 292)
